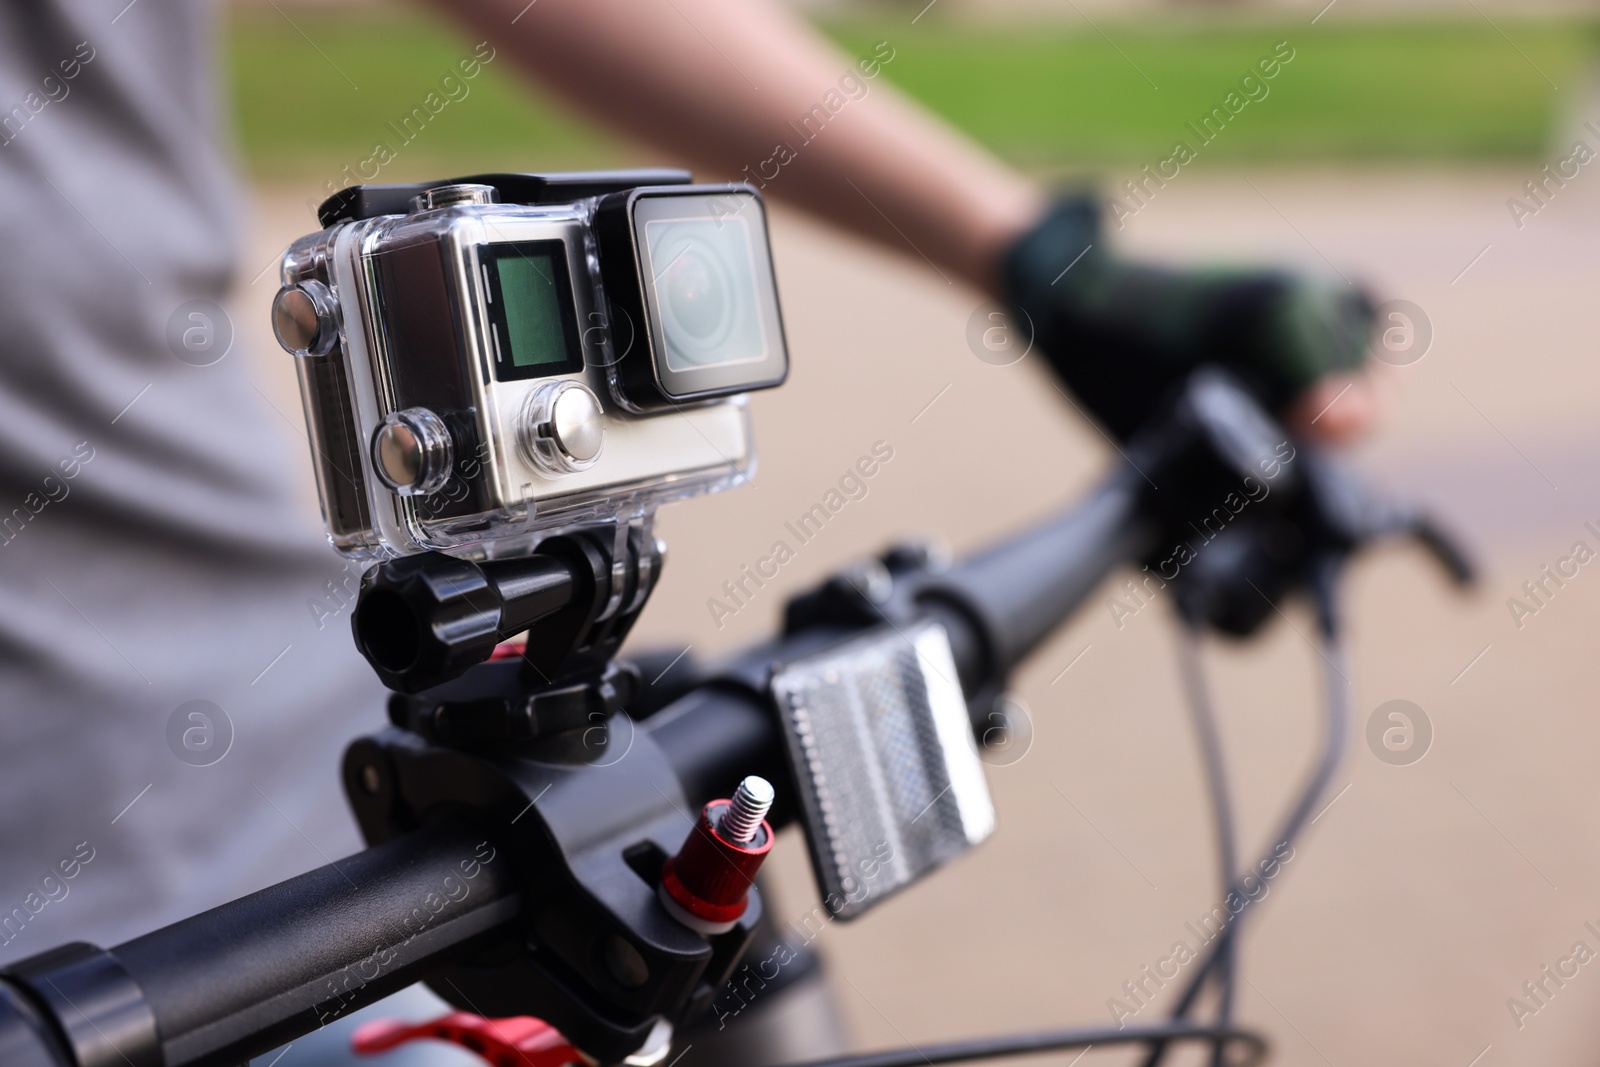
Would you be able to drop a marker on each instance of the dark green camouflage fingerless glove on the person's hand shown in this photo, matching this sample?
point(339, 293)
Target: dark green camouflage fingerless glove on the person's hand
point(1122, 335)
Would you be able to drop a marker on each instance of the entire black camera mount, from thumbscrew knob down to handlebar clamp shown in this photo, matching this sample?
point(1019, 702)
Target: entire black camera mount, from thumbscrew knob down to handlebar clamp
point(527, 743)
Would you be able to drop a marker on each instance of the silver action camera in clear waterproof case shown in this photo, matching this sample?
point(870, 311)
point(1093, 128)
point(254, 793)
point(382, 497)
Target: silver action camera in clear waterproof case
point(489, 359)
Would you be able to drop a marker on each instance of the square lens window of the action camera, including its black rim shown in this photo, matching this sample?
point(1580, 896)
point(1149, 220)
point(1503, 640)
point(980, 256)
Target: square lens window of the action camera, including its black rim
point(710, 292)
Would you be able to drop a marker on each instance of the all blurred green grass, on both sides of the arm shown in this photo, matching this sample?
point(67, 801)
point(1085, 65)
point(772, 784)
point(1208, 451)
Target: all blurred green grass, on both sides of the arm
point(1041, 97)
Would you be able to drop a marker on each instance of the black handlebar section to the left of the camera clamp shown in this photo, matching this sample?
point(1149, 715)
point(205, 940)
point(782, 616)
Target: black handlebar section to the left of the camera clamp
point(268, 969)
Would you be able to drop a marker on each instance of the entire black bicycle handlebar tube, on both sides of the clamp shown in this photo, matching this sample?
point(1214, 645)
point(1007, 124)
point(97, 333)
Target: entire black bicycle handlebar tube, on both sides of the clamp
point(268, 969)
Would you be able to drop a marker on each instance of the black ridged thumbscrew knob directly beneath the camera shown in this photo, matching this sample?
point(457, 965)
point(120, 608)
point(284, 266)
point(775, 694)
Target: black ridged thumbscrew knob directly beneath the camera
point(425, 620)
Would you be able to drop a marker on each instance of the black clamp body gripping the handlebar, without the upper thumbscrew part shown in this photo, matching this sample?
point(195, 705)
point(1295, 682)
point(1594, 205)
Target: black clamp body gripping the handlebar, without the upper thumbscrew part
point(583, 820)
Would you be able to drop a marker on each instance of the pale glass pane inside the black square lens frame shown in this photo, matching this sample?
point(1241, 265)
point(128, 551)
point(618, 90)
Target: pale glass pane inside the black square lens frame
point(706, 292)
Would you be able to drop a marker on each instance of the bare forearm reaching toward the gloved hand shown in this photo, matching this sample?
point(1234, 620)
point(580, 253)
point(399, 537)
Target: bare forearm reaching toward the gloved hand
point(730, 86)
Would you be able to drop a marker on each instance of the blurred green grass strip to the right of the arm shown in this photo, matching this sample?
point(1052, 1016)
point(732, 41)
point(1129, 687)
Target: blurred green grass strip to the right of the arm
point(1455, 90)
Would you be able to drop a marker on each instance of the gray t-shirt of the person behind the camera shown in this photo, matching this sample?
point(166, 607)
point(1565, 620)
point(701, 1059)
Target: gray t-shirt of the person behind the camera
point(158, 561)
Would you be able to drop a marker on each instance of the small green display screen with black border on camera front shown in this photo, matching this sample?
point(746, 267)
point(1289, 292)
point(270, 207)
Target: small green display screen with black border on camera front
point(532, 310)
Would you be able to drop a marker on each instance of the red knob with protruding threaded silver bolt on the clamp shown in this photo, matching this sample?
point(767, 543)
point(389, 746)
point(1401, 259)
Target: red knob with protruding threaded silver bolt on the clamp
point(706, 887)
